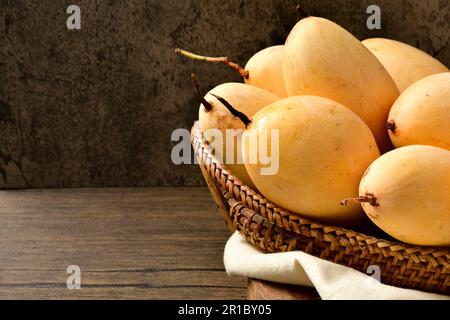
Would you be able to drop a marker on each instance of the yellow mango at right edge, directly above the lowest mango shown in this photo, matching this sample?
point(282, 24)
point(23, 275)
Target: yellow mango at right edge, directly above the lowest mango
point(421, 115)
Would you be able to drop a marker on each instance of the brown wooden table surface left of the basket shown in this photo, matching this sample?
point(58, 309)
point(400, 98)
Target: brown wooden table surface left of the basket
point(157, 243)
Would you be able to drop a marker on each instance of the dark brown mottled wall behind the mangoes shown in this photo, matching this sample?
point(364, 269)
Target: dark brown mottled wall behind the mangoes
point(96, 107)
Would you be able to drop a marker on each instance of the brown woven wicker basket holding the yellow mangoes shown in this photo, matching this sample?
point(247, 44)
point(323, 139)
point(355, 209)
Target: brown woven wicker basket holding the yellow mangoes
point(274, 229)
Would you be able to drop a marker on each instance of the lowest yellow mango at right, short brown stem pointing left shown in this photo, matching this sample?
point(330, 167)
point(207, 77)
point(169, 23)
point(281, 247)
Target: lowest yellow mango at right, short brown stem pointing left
point(406, 192)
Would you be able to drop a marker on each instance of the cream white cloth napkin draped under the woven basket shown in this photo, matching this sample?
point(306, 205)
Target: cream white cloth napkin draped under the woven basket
point(332, 281)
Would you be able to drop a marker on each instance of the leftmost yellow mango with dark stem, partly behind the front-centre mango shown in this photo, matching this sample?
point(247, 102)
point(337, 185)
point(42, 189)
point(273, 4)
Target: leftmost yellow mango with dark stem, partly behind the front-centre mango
point(244, 98)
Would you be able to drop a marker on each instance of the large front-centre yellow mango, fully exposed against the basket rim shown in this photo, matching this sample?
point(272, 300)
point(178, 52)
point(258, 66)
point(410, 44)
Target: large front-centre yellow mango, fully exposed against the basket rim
point(324, 149)
